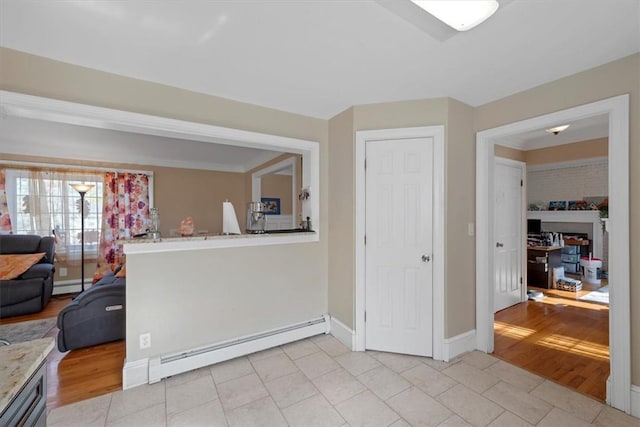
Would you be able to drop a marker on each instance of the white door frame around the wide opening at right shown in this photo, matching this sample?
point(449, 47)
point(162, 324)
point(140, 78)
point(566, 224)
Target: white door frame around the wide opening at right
point(617, 109)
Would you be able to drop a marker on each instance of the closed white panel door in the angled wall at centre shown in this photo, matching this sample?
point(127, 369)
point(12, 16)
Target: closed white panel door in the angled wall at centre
point(399, 245)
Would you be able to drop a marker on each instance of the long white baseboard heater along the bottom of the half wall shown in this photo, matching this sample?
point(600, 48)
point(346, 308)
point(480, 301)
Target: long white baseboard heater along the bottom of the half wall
point(169, 365)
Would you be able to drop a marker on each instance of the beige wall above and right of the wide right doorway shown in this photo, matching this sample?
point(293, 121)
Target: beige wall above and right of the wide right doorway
point(616, 78)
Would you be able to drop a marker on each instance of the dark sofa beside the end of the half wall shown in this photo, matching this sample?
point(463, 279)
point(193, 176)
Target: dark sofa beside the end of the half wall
point(96, 316)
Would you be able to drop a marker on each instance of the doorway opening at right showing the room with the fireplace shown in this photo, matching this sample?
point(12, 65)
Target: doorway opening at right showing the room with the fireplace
point(561, 332)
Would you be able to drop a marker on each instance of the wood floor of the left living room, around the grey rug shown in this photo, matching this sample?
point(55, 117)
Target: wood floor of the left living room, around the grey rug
point(78, 374)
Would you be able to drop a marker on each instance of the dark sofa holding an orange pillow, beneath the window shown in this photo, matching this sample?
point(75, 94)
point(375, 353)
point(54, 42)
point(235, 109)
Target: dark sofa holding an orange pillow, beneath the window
point(31, 290)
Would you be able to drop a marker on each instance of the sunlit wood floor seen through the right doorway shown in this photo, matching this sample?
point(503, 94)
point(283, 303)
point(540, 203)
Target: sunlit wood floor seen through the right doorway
point(560, 338)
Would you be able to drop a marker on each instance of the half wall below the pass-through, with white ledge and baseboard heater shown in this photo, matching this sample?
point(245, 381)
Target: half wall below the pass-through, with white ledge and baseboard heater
point(195, 301)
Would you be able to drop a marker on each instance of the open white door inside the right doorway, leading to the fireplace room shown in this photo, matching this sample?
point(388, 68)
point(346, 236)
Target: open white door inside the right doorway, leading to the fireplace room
point(509, 242)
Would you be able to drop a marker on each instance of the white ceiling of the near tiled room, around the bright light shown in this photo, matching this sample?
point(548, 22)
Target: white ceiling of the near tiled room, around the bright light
point(316, 57)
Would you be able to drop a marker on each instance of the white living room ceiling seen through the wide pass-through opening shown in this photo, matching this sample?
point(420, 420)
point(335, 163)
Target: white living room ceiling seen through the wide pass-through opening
point(27, 136)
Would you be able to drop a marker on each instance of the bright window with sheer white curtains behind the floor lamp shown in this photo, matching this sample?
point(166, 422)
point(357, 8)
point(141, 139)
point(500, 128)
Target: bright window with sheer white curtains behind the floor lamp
point(40, 202)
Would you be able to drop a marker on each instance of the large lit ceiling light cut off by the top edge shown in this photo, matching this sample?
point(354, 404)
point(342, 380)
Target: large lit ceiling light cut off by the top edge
point(461, 15)
